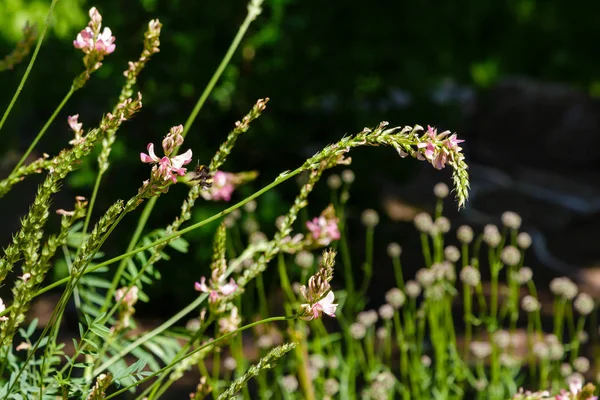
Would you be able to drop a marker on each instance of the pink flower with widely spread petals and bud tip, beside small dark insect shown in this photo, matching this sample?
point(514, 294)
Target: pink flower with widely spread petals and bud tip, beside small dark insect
point(166, 169)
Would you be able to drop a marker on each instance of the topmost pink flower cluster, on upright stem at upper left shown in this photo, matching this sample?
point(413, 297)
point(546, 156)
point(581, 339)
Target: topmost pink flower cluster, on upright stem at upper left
point(95, 43)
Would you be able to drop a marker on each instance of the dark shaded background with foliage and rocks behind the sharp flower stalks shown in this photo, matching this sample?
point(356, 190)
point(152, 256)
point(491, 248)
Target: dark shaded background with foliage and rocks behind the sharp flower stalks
point(518, 79)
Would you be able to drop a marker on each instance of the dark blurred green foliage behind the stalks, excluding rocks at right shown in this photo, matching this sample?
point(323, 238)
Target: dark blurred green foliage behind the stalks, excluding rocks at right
point(330, 68)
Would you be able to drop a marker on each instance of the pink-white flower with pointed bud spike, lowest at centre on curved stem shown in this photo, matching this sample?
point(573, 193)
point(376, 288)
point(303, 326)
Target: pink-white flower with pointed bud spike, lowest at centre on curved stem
point(318, 294)
